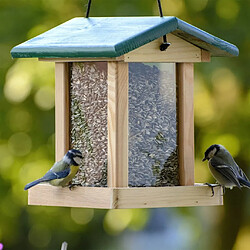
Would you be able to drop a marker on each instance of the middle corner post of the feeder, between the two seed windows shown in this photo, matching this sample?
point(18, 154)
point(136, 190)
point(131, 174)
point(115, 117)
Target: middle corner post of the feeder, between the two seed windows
point(117, 124)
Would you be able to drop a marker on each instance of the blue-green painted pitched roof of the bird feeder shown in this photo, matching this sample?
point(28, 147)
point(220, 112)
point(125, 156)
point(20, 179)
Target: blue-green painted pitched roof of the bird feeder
point(115, 36)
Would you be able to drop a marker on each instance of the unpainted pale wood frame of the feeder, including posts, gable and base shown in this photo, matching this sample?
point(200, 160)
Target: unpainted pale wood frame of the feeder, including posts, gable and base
point(118, 194)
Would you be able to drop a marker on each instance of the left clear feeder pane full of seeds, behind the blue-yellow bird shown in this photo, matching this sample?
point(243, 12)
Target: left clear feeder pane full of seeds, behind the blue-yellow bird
point(88, 132)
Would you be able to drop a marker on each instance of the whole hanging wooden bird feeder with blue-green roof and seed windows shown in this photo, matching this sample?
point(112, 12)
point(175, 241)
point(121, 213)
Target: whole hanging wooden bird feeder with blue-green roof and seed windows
point(128, 106)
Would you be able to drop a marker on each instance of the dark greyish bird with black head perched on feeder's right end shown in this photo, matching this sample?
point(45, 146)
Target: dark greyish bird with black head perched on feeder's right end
point(224, 168)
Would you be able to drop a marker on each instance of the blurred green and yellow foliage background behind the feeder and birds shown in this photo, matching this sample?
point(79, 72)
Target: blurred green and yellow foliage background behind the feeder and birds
point(222, 112)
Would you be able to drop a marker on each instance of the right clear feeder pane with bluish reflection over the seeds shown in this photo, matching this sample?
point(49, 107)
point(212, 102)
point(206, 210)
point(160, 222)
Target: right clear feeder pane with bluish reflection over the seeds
point(153, 158)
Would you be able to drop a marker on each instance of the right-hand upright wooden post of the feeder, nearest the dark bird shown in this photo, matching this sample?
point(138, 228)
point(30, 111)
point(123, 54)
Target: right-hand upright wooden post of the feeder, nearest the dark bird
point(185, 84)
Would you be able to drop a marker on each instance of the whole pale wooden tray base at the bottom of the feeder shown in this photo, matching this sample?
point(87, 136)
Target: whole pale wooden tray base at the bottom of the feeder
point(114, 198)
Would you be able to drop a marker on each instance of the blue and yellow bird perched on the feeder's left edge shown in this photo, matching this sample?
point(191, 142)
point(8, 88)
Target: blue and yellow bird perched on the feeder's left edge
point(62, 172)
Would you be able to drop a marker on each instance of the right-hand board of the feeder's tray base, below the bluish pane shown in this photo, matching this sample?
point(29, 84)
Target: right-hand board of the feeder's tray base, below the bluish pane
point(178, 196)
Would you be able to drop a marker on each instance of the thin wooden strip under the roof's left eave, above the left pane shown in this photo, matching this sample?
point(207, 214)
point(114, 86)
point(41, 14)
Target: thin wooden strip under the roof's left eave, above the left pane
point(93, 59)
